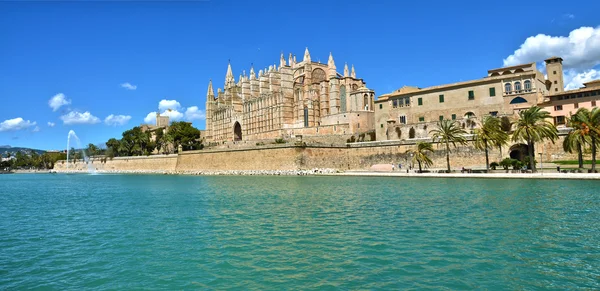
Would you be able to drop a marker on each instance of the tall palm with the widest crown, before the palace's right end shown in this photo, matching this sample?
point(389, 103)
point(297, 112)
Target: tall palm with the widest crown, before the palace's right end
point(533, 126)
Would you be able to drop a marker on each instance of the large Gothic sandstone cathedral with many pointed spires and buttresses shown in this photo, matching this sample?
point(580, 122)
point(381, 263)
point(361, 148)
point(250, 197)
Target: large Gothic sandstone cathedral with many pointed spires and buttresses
point(293, 99)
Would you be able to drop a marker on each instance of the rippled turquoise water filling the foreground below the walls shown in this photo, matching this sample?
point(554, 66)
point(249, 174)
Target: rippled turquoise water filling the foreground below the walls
point(72, 232)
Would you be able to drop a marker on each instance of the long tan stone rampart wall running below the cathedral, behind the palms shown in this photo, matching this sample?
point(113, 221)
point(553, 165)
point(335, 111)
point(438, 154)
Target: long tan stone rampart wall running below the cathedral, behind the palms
point(290, 157)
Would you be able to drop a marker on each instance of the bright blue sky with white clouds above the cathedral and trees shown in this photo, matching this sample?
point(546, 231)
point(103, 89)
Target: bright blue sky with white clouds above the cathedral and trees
point(82, 53)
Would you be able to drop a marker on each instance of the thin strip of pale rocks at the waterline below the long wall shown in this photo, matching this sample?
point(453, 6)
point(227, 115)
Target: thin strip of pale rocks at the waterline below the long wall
point(216, 172)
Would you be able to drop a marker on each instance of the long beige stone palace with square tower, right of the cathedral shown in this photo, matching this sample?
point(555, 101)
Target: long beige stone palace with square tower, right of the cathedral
point(411, 112)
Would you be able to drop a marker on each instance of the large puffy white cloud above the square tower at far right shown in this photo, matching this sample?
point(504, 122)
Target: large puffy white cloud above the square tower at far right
point(579, 50)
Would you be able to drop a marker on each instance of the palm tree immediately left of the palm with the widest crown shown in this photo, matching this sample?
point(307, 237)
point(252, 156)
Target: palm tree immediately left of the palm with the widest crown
point(489, 134)
